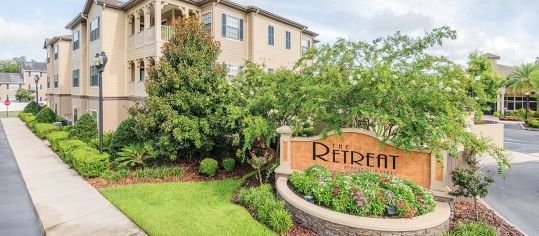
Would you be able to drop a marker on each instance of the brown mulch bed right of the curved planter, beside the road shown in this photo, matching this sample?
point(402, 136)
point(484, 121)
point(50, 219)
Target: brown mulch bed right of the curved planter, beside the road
point(463, 211)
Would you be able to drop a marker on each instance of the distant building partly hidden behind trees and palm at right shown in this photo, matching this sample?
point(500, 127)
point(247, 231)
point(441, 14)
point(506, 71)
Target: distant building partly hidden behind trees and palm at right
point(508, 102)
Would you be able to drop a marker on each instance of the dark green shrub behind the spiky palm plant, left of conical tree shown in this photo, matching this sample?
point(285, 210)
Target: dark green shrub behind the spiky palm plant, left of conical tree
point(124, 135)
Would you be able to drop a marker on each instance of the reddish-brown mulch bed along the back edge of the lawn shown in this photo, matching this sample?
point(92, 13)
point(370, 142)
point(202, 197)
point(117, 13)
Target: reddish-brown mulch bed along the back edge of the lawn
point(190, 175)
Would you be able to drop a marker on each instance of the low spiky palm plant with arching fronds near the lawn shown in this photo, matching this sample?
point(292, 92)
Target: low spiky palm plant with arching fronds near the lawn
point(134, 155)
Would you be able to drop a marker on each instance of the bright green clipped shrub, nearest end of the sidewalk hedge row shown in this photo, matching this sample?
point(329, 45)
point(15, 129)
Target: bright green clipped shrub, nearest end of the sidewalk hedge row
point(89, 163)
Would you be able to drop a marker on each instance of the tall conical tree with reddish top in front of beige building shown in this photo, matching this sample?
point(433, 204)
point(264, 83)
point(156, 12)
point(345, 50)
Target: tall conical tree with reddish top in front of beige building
point(184, 110)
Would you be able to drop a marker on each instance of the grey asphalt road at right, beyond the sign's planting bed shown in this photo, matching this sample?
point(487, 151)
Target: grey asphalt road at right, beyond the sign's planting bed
point(517, 196)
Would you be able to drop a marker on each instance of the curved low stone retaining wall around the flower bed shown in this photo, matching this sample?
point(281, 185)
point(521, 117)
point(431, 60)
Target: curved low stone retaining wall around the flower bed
point(327, 222)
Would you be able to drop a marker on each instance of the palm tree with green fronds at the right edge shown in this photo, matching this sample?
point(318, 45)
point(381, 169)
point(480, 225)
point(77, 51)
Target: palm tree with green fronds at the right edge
point(524, 80)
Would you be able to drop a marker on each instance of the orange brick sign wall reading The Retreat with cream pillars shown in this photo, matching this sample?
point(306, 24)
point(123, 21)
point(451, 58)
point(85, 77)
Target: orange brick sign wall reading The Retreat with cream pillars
point(356, 150)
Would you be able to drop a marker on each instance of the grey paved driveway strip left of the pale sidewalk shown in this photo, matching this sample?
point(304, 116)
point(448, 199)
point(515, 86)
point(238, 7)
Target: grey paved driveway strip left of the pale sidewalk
point(17, 215)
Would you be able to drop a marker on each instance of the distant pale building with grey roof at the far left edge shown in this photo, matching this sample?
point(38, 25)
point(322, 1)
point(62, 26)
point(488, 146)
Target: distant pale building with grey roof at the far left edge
point(11, 82)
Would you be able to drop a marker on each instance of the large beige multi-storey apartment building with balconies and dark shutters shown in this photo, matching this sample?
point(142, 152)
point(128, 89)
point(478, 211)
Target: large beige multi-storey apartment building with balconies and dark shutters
point(132, 34)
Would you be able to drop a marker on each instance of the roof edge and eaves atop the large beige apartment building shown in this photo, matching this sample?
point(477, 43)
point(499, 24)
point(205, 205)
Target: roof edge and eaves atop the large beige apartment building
point(128, 4)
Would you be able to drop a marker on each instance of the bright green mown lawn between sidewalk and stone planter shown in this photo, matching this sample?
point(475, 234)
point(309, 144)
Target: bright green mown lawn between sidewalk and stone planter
point(202, 208)
